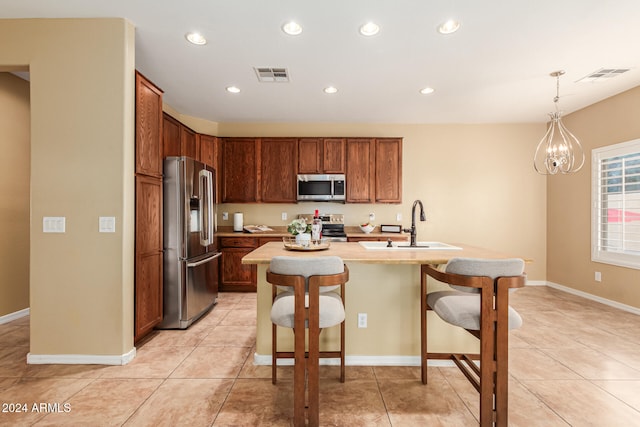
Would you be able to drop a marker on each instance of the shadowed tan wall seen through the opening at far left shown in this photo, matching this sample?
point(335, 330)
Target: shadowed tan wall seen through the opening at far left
point(14, 188)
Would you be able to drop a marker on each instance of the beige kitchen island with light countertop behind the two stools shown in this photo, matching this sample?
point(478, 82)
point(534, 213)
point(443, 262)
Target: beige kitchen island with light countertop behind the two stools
point(384, 284)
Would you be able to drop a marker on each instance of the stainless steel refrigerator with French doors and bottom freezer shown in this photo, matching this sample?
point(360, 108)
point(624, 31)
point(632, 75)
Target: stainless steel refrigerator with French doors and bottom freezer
point(190, 254)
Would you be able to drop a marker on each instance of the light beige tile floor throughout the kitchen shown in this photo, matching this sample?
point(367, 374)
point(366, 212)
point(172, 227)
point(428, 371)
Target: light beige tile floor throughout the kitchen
point(574, 362)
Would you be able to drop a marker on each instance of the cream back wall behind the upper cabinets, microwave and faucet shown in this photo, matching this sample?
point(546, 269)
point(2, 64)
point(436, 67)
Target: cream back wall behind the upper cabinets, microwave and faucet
point(477, 184)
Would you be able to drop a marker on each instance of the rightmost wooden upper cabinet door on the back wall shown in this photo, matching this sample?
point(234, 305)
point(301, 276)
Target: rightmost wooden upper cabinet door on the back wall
point(388, 170)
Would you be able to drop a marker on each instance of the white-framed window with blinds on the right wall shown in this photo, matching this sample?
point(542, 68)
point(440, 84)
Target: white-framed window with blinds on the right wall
point(615, 242)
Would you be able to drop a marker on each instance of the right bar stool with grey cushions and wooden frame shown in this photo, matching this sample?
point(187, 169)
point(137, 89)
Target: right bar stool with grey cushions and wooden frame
point(478, 303)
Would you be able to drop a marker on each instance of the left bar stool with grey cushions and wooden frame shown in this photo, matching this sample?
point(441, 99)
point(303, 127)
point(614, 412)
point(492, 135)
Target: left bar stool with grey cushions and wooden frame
point(304, 297)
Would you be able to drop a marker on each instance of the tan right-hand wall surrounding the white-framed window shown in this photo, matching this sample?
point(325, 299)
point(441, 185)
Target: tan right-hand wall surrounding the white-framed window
point(608, 122)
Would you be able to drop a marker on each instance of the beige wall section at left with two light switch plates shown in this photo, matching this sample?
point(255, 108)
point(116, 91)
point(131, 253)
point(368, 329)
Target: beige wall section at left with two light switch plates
point(82, 148)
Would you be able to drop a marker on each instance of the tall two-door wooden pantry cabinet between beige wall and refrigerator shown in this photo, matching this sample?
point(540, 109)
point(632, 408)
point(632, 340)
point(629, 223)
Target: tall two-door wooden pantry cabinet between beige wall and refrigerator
point(148, 216)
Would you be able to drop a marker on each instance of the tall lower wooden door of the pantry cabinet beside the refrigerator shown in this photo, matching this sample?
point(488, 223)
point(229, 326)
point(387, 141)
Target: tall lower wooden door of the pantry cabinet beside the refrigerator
point(148, 255)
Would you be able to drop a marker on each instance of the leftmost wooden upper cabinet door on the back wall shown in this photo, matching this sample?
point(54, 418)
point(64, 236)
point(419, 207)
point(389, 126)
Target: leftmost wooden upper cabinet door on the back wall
point(240, 165)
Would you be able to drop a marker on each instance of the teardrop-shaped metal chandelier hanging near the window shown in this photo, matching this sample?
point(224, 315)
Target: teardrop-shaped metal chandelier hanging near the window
point(559, 150)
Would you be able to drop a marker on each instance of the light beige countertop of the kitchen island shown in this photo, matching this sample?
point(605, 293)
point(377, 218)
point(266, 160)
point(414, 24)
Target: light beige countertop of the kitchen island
point(354, 252)
